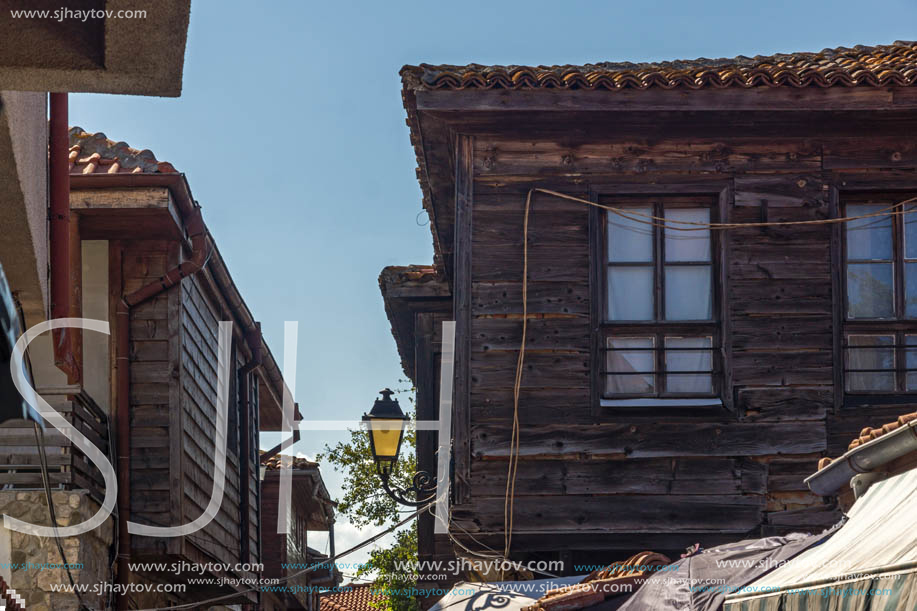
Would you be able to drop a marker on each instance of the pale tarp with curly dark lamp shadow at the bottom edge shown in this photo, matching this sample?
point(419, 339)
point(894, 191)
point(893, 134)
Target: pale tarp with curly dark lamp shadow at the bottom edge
point(504, 595)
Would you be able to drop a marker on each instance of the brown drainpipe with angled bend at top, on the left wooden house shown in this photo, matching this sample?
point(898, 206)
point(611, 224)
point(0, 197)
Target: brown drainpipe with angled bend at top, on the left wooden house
point(194, 225)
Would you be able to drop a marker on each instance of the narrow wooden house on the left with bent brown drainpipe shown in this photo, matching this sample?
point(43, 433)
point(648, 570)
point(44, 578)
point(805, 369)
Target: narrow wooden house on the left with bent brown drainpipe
point(149, 266)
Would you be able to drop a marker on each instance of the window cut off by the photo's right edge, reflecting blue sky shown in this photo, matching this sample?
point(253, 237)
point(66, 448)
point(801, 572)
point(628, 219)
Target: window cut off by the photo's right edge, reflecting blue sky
point(880, 308)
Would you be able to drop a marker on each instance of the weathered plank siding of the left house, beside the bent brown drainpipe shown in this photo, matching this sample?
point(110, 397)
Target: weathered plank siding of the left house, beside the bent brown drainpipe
point(173, 413)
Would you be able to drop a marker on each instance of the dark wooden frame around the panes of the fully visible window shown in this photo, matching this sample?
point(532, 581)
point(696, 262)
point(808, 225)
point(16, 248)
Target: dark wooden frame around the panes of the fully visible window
point(659, 328)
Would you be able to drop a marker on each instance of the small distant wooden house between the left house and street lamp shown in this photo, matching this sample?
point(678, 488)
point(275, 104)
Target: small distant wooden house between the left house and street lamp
point(286, 554)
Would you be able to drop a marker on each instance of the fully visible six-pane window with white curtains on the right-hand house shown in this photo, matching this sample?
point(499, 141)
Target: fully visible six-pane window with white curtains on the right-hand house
point(660, 332)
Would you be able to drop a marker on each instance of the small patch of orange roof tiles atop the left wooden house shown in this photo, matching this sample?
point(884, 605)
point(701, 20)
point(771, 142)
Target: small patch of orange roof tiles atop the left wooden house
point(96, 154)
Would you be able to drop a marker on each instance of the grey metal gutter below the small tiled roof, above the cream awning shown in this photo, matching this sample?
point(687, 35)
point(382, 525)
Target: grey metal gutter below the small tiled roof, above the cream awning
point(863, 459)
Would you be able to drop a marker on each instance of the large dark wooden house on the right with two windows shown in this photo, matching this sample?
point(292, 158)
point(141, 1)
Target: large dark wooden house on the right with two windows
point(677, 386)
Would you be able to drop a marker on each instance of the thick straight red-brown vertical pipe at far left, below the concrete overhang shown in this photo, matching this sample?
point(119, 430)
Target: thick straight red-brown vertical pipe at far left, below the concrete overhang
point(59, 234)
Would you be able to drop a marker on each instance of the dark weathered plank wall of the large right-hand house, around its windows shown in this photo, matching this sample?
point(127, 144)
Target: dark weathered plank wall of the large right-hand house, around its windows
point(616, 473)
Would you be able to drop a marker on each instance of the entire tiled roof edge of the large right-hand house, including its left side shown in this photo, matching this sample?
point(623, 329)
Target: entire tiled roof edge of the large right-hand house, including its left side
point(864, 66)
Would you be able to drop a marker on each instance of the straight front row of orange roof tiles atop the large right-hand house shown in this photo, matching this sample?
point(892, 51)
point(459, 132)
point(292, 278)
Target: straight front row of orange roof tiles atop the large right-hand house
point(878, 66)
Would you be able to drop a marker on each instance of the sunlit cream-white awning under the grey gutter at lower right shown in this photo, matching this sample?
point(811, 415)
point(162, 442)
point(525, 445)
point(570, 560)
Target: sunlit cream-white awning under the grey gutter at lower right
point(869, 564)
